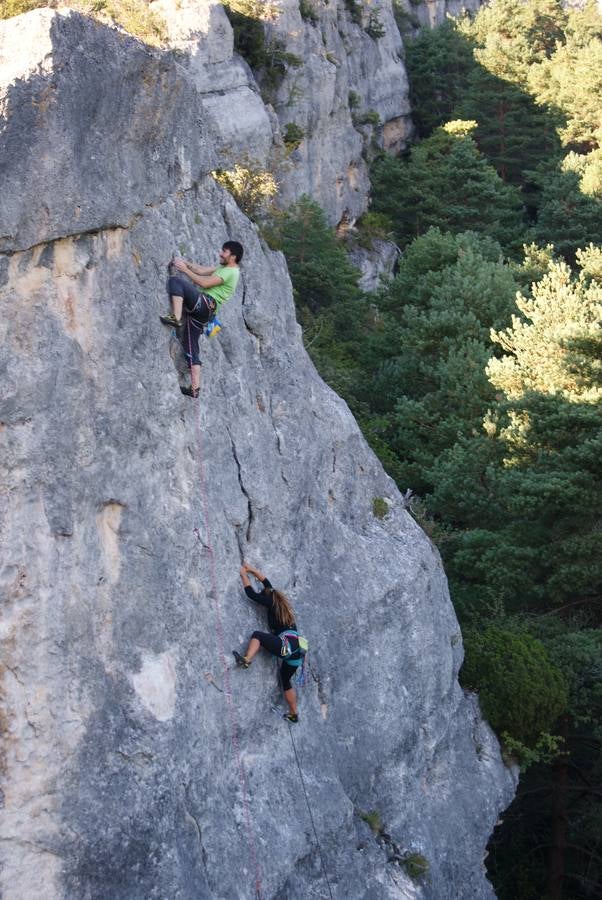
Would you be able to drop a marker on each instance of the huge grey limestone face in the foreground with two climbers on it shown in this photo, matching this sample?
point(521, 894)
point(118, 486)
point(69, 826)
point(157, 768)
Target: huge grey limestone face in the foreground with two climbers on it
point(120, 776)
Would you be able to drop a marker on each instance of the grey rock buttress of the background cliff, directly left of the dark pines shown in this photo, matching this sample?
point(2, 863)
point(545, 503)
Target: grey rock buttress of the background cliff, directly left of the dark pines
point(350, 92)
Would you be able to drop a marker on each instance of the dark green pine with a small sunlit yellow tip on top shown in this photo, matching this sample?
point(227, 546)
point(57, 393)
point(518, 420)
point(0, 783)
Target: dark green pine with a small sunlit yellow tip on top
point(447, 183)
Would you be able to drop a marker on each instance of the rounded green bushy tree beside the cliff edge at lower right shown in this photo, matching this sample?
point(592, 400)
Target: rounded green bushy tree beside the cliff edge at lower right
point(520, 691)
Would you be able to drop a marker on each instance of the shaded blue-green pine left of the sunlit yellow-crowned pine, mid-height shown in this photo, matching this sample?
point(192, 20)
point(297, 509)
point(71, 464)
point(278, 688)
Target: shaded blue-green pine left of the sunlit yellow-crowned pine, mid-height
point(429, 385)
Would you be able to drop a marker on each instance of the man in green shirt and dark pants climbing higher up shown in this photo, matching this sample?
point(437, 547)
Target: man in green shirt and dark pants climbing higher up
point(196, 294)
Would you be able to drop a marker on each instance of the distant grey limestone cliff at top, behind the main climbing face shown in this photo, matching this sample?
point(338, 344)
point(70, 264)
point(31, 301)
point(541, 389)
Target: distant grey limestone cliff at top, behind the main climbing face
point(345, 87)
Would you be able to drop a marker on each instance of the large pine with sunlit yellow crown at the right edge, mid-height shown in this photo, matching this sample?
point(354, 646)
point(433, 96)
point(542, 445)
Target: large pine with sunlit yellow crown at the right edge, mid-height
point(542, 549)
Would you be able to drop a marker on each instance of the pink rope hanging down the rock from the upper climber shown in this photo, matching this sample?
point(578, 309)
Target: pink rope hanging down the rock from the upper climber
point(221, 646)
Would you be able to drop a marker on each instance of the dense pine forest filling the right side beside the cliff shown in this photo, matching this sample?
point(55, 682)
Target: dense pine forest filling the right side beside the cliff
point(475, 374)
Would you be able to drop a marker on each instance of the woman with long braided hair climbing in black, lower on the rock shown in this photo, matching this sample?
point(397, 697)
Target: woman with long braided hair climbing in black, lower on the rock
point(284, 640)
